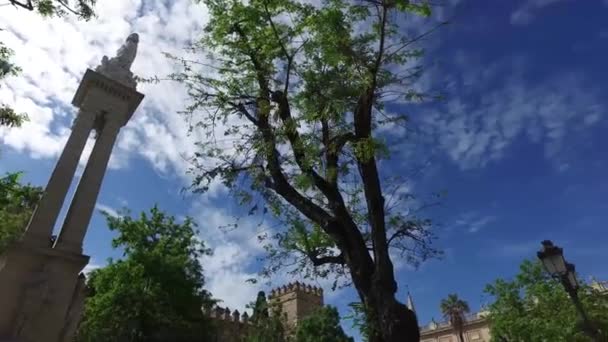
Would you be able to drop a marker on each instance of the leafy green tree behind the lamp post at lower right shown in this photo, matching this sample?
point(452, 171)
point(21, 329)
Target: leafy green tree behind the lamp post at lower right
point(535, 307)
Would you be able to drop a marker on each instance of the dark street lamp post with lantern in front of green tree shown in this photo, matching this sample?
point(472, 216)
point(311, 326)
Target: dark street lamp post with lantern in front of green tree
point(553, 260)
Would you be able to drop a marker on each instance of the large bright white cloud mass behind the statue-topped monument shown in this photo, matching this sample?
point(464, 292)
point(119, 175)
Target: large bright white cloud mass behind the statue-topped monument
point(52, 68)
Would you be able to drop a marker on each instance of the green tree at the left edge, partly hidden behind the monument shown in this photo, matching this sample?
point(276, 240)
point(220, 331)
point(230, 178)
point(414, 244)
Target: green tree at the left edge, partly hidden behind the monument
point(17, 201)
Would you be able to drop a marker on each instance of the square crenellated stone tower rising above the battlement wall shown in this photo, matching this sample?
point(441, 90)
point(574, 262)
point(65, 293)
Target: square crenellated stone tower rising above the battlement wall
point(297, 301)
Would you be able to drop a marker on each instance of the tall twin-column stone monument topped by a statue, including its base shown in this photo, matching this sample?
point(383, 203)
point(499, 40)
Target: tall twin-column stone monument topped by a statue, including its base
point(41, 285)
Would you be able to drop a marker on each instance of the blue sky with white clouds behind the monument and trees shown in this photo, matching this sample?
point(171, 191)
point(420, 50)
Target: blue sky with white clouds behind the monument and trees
point(518, 144)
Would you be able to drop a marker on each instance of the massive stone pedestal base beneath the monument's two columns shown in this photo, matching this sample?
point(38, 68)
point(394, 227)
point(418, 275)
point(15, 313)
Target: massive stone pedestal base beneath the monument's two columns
point(36, 289)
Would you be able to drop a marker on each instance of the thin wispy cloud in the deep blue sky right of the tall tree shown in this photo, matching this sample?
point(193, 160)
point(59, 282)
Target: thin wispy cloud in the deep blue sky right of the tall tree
point(499, 111)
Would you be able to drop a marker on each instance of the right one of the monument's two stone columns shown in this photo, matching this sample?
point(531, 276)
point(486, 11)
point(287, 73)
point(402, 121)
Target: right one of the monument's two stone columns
point(83, 204)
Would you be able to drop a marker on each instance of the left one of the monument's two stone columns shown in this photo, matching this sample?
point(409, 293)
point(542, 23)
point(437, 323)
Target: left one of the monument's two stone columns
point(45, 215)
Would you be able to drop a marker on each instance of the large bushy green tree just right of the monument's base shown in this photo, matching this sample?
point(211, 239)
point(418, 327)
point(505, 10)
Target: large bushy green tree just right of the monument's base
point(155, 292)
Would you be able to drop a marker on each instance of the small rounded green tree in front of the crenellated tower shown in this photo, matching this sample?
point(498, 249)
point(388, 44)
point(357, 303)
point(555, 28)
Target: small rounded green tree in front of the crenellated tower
point(322, 325)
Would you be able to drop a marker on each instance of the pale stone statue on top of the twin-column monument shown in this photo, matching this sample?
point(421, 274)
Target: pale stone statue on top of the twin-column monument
point(118, 68)
